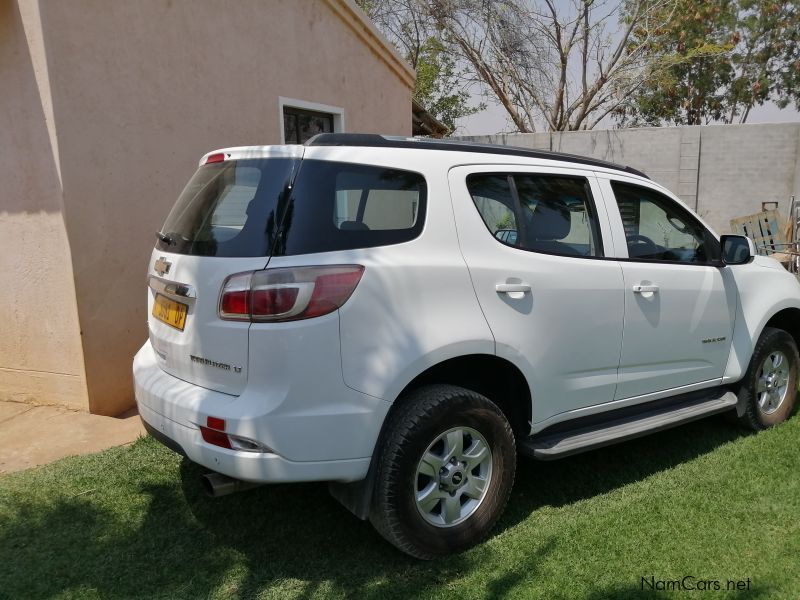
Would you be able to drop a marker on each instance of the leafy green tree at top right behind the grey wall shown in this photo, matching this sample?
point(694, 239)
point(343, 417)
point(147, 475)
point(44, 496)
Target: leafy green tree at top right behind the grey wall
point(729, 55)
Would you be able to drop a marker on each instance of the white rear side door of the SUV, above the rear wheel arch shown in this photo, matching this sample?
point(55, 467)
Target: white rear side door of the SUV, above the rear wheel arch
point(552, 300)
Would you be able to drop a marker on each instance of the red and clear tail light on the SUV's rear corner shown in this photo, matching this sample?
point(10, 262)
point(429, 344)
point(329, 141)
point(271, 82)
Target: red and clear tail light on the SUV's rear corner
point(287, 294)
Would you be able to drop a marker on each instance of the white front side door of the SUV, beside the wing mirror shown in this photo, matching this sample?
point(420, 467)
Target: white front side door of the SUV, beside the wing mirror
point(679, 313)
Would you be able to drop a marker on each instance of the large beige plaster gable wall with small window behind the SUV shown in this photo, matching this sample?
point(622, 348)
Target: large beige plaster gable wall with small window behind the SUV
point(140, 90)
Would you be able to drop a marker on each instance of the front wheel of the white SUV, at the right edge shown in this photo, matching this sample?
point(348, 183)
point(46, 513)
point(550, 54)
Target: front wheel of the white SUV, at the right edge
point(769, 388)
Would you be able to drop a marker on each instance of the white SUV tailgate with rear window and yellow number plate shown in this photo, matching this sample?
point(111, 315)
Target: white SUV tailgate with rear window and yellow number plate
point(224, 222)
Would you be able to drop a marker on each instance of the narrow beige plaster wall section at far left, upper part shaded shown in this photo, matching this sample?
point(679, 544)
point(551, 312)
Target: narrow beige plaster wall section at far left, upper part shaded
point(41, 359)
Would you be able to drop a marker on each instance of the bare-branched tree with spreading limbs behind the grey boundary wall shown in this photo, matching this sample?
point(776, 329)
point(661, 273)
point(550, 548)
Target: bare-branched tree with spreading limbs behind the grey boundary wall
point(562, 68)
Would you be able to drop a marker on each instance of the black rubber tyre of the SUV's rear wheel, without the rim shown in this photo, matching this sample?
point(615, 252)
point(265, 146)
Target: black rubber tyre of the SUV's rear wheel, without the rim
point(422, 418)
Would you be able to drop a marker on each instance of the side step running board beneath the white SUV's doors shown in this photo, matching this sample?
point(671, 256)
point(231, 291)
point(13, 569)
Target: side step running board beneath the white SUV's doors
point(558, 442)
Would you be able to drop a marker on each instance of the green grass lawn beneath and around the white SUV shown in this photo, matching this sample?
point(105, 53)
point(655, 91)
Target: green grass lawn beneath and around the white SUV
point(703, 500)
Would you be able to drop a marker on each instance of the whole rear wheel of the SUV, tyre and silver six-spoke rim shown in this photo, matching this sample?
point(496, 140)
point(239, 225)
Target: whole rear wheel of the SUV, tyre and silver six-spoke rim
point(445, 471)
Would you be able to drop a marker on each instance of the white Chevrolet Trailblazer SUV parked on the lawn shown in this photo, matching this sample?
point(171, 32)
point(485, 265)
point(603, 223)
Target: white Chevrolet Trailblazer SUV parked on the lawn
point(400, 317)
